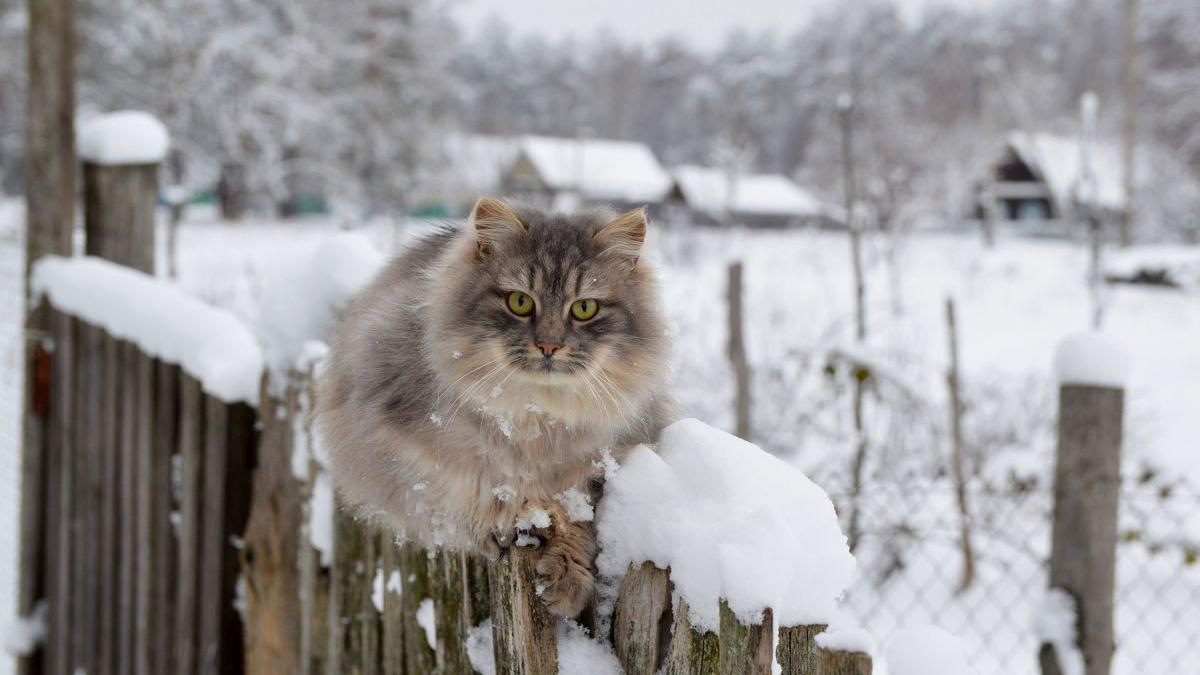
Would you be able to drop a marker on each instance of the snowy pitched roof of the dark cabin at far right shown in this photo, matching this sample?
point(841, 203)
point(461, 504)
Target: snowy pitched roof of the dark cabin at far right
point(1059, 162)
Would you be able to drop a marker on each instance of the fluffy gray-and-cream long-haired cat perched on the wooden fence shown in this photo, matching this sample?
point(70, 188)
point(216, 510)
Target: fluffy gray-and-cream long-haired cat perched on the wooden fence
point(487, 377)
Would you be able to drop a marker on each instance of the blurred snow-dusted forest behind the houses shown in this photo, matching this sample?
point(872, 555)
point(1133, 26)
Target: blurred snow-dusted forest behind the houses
point(311, 97)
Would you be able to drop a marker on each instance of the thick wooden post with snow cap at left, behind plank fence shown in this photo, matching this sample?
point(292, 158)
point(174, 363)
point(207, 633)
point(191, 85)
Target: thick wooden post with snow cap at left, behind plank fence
point(121, 154)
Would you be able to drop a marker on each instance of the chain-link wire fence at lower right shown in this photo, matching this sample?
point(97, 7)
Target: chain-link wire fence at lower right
point(913, 572)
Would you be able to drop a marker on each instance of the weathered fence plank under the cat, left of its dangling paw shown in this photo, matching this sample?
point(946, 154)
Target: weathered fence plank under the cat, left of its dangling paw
point(523, 628)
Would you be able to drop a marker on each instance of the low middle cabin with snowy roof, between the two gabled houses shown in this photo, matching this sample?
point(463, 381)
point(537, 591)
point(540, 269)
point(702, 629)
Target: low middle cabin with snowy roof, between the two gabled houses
point(712, 196)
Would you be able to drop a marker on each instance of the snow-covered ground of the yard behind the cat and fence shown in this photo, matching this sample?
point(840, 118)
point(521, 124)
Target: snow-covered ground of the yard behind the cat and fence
point(1015, 304)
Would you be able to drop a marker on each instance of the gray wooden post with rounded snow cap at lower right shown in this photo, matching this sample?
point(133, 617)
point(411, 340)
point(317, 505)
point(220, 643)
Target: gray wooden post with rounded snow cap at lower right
point(1091, 372)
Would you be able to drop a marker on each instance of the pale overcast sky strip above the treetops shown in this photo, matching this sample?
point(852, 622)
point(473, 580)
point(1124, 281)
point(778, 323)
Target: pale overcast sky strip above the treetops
point(700, 22)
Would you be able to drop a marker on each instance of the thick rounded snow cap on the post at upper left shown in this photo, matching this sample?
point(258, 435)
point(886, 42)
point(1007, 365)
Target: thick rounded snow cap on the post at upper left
point(125, 138)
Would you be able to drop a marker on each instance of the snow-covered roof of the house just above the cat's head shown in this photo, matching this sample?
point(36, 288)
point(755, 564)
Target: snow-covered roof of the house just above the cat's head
point(598, 170)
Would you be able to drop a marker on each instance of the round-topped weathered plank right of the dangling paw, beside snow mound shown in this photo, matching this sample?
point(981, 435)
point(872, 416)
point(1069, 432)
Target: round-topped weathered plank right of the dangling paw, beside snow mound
point(641, 625)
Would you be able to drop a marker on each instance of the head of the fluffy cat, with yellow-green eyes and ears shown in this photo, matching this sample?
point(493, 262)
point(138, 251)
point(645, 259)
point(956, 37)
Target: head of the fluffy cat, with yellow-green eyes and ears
point(555, 301)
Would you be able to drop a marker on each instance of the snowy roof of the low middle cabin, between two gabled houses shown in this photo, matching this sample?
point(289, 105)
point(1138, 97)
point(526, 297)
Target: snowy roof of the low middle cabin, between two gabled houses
point(758, 194)
